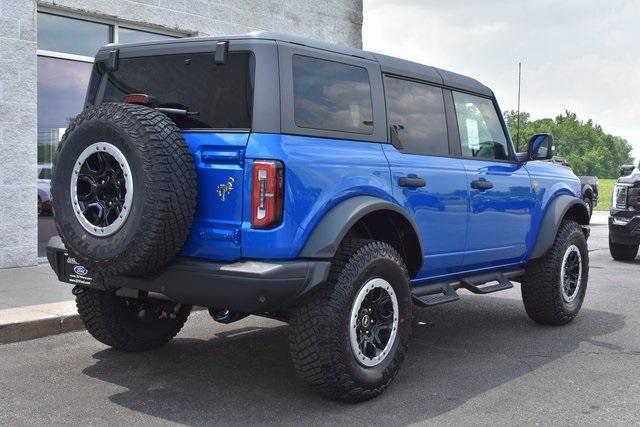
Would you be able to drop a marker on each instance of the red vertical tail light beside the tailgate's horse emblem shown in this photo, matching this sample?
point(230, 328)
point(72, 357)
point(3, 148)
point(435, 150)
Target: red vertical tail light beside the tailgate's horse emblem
point(267, 193)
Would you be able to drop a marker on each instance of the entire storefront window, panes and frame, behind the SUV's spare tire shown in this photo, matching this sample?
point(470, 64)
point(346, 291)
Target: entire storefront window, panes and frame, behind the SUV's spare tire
point(66, 47)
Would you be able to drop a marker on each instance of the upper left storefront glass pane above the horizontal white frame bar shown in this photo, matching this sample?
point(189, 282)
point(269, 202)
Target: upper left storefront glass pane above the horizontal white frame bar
point(69, 35)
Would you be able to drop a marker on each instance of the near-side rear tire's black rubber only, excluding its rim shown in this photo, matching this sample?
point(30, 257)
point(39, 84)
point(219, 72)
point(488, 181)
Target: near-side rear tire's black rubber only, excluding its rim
point(319, 331)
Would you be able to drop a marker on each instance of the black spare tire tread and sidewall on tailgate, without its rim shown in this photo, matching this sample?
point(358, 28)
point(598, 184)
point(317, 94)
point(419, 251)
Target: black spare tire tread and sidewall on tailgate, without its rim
point(164, 186)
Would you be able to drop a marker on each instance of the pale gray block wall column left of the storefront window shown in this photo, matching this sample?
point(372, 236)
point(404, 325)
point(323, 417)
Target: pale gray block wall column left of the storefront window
point(18, 122)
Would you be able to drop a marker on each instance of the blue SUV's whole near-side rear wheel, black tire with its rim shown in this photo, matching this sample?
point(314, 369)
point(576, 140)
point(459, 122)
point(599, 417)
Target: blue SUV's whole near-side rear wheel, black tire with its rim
point(369, 281)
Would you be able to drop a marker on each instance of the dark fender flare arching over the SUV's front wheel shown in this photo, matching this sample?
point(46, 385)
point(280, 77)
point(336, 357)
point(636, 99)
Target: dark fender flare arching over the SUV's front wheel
point(553, 216)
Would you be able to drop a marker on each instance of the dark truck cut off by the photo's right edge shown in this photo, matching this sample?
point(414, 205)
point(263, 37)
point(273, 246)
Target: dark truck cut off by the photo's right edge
point(624, 219)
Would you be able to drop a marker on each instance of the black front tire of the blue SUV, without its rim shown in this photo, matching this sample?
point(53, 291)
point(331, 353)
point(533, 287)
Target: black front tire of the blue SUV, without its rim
point(541, 286)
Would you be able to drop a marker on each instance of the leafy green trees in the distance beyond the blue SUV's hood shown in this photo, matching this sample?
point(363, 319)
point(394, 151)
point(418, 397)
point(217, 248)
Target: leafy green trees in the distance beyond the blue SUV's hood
point(584, 144)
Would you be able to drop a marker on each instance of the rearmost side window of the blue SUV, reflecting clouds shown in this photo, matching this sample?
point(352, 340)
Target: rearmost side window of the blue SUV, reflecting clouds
point(331, 95)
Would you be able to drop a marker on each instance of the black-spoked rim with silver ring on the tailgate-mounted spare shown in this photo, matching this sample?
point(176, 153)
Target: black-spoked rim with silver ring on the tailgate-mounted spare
point(101, 189)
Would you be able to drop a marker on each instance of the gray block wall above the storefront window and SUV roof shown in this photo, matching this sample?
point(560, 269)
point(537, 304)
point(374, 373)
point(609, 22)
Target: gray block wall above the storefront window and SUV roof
point(338, 21)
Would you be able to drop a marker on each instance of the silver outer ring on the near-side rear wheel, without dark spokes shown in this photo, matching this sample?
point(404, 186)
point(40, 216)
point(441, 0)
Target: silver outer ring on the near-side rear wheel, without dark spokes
point(355, 320)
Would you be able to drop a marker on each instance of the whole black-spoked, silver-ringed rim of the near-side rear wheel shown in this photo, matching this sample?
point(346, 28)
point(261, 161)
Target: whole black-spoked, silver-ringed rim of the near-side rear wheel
point(373, 324)
